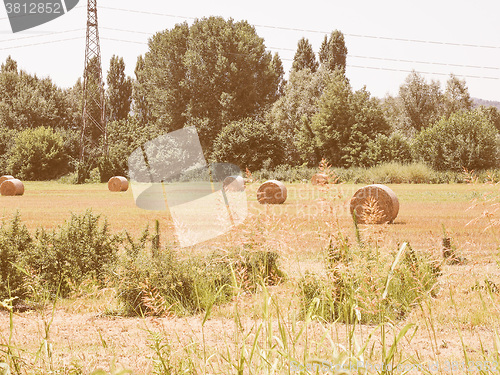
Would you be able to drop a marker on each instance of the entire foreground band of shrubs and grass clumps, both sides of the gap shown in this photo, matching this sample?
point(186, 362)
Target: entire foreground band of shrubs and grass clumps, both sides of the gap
point(360, 284)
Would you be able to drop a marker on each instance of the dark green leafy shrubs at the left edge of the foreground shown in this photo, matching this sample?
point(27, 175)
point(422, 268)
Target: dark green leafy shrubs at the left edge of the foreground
point(80, 249)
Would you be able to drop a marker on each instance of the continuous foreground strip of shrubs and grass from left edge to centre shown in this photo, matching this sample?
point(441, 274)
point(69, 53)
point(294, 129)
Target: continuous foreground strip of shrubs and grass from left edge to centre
point(150, 280)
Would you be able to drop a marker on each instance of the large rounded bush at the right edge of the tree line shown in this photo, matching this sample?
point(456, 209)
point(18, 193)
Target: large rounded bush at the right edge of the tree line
point(465, 139)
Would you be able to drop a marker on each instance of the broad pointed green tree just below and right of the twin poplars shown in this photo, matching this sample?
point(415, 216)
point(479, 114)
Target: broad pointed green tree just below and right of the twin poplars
point(345, 122)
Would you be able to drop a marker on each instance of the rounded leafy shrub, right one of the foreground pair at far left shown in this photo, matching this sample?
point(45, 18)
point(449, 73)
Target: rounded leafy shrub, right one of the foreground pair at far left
point(80, 249)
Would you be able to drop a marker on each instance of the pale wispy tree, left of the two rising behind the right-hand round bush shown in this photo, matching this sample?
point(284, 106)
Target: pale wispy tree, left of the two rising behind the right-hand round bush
point(420, 101)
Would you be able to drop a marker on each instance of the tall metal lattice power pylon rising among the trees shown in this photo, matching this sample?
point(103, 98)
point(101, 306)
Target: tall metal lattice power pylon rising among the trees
point(94, 116)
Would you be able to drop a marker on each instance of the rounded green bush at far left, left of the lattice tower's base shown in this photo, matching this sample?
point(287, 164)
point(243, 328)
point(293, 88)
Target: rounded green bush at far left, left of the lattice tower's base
point(38, 154)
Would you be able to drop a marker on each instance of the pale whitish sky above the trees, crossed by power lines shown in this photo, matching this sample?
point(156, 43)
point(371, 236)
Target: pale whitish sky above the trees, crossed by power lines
point(433, 37)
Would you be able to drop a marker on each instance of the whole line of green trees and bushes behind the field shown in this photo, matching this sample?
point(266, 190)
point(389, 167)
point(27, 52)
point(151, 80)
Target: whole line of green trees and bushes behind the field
point(217, 75)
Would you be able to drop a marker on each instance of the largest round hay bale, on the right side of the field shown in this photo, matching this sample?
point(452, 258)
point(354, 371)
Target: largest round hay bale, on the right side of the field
point(375, 204)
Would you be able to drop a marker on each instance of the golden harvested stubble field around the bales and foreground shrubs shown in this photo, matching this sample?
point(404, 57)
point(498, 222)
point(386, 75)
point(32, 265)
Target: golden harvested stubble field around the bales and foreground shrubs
point(85, 333)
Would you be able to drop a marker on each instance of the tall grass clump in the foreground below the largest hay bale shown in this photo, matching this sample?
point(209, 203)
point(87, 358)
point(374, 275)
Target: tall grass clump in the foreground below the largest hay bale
point(366, 286)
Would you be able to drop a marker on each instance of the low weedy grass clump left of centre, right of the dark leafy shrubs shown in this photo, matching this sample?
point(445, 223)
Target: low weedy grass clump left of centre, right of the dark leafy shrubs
point(156, 281)
